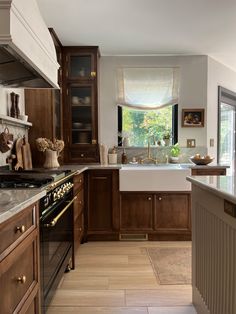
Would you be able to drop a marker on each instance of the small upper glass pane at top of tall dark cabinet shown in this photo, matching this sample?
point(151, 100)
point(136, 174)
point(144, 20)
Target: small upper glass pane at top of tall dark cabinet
point(80, 66)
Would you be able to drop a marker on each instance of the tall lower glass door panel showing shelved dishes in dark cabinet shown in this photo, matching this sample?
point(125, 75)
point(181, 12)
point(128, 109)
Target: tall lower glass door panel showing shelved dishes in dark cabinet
point(81, 100)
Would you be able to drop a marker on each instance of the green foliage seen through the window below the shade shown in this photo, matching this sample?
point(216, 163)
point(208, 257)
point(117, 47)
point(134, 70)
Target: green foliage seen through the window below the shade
point(140, 124)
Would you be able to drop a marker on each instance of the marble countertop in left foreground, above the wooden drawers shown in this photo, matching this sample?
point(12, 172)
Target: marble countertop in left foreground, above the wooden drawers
point(13, 201)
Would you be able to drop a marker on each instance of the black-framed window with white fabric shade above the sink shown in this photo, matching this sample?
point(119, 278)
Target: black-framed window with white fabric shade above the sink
point(147, 99)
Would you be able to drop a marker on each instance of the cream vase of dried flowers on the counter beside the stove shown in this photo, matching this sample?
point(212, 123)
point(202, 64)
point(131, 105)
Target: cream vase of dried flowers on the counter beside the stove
point(52, 150)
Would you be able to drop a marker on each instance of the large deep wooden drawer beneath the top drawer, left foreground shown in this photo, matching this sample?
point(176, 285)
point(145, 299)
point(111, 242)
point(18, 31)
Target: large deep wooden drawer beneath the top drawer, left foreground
point(19, 275)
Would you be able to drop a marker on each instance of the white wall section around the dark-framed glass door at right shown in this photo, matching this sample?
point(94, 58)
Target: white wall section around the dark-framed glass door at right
point(218, 75)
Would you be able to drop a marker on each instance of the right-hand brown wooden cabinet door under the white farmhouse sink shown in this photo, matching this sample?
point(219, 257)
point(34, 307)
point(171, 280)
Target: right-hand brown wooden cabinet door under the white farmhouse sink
point(172, 212)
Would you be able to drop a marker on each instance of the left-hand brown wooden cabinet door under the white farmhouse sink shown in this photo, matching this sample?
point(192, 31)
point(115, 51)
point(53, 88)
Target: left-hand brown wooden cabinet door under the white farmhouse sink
point(136, 212)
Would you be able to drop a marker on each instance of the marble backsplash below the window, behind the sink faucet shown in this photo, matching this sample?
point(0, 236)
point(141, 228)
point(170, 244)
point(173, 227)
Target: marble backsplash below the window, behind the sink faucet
point(160, 153)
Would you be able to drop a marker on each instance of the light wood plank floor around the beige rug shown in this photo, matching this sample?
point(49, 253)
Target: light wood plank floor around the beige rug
point(117, 278)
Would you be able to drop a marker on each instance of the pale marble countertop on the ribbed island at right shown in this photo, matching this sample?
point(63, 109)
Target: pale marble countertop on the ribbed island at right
point(222, 186)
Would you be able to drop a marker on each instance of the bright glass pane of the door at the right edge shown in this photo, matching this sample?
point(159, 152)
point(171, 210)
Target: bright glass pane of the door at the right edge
point(227, 135)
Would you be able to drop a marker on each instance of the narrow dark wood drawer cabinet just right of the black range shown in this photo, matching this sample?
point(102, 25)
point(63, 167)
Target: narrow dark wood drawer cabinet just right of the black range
point(78, 191)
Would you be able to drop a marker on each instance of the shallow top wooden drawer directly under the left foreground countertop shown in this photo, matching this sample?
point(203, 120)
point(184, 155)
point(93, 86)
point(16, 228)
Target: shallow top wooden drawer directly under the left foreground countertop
point(15, 229)
